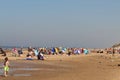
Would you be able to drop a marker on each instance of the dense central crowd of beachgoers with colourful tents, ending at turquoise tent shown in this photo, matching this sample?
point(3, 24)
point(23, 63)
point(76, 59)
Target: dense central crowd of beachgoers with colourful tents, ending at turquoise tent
point(40, 52)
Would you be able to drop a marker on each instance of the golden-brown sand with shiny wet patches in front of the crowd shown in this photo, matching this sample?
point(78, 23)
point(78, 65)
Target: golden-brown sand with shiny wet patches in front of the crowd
point(62, 67)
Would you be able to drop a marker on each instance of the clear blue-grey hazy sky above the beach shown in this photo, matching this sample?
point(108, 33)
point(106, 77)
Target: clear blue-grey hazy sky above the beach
point(67, 23)
